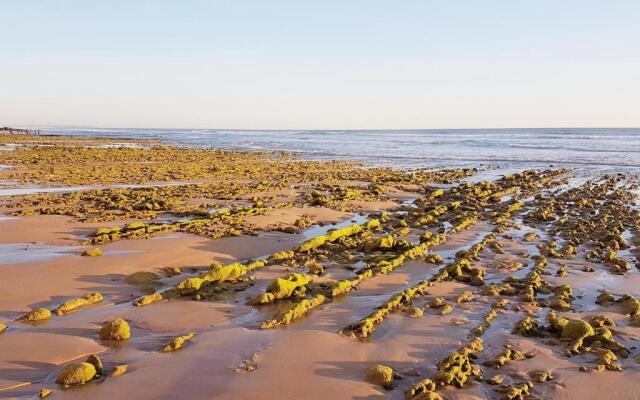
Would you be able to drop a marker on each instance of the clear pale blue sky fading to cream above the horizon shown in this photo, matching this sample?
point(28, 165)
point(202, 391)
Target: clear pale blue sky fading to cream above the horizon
point(343, 64)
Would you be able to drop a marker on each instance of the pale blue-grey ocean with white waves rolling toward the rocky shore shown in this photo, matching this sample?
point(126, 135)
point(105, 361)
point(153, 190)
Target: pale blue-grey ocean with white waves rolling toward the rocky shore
point(609, 149)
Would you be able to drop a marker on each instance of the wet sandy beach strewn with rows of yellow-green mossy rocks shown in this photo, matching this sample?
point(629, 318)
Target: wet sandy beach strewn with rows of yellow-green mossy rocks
point(243, 275)
